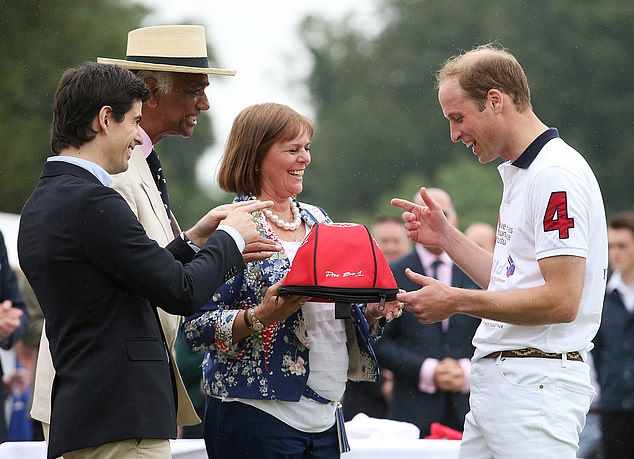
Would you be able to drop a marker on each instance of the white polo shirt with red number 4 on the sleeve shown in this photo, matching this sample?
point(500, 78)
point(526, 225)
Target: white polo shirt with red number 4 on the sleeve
point(551, 205)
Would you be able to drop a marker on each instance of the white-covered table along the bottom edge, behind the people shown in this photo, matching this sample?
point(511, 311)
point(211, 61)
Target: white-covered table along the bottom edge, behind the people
point(361, 449)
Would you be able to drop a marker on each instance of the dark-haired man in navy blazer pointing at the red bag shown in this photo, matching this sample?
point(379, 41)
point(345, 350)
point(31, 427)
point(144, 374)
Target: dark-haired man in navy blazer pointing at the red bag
point(97, 274)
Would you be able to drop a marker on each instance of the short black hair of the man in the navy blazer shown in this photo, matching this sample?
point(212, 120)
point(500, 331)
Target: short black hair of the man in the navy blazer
point(82, 92)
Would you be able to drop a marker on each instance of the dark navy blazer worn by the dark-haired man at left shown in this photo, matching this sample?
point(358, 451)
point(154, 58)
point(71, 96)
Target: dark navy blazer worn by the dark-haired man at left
point(96, 274)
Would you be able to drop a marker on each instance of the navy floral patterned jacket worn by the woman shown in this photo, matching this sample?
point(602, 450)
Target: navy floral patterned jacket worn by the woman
point(271, 364)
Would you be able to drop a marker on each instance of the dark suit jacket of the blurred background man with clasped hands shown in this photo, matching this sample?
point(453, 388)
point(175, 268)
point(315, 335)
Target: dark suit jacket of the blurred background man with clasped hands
point(406, 343)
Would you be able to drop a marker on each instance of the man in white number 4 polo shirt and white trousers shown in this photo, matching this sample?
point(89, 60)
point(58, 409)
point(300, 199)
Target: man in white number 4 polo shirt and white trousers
point(530, 385)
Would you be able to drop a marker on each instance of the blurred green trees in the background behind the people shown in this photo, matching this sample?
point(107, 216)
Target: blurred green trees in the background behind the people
point(380, 131)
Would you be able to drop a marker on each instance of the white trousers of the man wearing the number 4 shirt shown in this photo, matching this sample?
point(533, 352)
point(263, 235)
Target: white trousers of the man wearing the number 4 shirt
point(526, 408)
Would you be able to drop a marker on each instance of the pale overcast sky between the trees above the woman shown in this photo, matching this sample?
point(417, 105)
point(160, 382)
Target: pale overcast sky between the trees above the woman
point(259, 40)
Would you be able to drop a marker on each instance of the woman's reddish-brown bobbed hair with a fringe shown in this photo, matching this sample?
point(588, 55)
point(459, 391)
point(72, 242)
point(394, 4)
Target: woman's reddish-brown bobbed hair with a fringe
point(254, 130)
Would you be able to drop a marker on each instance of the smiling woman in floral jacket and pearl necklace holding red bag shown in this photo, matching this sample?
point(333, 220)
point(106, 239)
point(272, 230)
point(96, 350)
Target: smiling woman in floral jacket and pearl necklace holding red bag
point(276, 367)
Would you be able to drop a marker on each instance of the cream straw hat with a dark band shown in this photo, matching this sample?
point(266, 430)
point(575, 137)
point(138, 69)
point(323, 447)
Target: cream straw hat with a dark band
point(167, 48)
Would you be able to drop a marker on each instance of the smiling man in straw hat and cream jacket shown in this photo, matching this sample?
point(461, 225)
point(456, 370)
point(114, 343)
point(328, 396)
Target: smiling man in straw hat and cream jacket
point(172, 60)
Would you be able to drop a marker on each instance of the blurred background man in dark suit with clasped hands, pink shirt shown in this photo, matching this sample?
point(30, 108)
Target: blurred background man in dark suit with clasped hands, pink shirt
point(430, 362)
